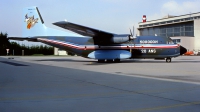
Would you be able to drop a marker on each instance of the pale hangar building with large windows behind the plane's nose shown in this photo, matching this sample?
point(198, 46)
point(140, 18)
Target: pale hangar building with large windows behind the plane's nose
point(183, 29)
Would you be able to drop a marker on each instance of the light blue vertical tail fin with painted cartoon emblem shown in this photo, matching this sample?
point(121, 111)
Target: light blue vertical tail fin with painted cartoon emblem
point(33, 25)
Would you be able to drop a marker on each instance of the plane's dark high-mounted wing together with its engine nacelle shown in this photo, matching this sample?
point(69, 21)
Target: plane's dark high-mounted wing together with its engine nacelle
point(99, 37)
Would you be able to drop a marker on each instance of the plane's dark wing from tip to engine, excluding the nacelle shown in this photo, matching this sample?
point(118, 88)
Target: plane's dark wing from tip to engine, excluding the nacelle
point(83, 30)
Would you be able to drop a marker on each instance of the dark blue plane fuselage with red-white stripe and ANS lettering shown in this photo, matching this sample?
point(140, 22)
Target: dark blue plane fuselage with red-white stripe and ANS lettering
point(141, 47)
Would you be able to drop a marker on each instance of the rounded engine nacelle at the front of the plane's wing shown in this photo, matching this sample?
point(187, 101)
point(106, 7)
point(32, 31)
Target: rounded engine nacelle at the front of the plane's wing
point(117, 39)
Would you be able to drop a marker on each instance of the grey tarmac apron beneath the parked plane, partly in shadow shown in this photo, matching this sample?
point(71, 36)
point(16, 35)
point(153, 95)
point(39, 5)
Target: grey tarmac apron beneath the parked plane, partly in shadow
point(76, 84)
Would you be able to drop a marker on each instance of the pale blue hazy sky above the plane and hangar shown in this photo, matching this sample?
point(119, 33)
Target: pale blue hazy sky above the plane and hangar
point(115, 16)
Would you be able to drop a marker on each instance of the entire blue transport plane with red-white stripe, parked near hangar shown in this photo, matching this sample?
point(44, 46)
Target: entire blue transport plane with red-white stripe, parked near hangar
point(96, 44)
